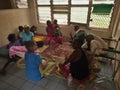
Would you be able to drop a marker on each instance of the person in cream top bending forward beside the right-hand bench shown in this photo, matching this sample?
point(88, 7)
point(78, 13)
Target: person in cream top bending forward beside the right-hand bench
point(93, 42)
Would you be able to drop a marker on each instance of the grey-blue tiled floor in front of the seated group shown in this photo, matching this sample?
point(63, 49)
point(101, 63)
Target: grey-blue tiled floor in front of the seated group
point(15, 79)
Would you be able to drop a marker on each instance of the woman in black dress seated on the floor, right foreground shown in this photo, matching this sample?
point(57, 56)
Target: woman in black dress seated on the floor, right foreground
point(78, 69)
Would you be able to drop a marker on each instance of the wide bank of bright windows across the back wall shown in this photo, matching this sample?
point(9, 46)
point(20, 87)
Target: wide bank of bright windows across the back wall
point(73, 11)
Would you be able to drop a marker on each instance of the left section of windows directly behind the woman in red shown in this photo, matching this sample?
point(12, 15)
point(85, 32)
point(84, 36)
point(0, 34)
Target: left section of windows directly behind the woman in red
point(59, 9)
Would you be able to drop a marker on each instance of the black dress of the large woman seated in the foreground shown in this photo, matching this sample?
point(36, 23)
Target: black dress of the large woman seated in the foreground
point(79, 69)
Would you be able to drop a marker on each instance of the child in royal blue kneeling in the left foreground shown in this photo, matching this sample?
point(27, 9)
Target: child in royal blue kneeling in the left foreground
point(32, 62)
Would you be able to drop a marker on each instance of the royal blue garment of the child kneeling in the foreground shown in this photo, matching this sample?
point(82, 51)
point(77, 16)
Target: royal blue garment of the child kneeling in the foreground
point(32, 62)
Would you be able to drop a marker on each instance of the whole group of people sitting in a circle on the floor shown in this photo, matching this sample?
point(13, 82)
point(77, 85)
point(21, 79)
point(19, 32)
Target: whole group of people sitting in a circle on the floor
point(78, 61)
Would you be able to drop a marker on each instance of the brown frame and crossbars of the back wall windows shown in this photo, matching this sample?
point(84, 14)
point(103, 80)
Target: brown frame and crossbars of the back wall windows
point(89, 5)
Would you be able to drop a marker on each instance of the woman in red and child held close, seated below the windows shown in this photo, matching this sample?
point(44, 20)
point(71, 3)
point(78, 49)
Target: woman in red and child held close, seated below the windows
point(53, 33)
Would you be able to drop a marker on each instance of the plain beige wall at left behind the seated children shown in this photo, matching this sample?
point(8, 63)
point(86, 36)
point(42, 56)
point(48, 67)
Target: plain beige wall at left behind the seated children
point(10, 20)
